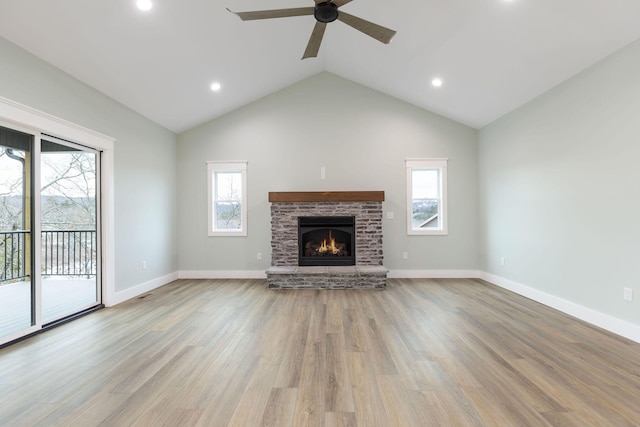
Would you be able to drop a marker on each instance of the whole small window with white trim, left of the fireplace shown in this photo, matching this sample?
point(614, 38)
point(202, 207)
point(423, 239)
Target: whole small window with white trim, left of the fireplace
point(227, 198)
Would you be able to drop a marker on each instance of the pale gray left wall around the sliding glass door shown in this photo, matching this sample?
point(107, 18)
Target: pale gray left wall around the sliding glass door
point(144, 160)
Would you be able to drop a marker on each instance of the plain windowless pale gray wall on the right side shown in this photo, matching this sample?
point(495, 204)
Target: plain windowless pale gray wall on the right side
point(559, 182)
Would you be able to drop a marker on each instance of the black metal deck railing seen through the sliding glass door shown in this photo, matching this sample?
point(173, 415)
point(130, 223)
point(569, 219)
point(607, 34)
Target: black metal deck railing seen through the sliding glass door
point(64, 253)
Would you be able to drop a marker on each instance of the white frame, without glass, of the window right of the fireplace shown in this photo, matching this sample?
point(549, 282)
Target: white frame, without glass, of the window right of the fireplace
point(439, 165)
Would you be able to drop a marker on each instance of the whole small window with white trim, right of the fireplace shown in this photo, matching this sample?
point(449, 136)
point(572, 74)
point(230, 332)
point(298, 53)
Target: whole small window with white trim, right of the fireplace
point(426, 196)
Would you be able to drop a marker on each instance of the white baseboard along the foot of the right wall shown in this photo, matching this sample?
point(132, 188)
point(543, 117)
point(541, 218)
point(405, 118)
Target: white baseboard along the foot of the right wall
point(604, 321)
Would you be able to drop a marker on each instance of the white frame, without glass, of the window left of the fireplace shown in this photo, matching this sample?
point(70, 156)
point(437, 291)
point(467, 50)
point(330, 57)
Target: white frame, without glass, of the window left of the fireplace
point(212, 169)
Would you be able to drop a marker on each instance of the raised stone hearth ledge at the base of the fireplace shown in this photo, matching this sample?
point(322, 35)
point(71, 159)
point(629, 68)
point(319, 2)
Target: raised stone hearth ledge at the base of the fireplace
point(321, 277)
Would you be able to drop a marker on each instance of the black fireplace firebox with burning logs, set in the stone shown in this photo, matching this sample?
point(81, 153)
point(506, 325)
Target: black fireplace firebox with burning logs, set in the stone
point(326, 240)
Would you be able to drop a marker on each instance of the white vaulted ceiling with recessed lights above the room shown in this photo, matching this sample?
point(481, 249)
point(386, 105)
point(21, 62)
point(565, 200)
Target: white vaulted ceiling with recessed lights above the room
point(493, 55)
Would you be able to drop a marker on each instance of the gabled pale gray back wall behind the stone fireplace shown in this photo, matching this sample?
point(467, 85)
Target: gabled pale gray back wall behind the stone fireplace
point(361, 136)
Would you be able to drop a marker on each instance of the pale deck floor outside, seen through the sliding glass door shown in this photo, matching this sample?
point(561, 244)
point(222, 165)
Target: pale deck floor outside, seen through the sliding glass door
point(59, 297)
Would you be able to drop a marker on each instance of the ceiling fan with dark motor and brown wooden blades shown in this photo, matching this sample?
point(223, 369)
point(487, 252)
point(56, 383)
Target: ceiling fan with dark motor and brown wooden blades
point(324, 12)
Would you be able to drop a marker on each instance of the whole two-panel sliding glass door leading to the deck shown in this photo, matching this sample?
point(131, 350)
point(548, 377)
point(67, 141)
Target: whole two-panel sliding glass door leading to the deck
point(49, 231)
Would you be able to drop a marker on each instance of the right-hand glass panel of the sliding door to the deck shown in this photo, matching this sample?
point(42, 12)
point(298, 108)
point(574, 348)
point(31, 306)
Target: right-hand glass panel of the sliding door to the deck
point(69, 229)
